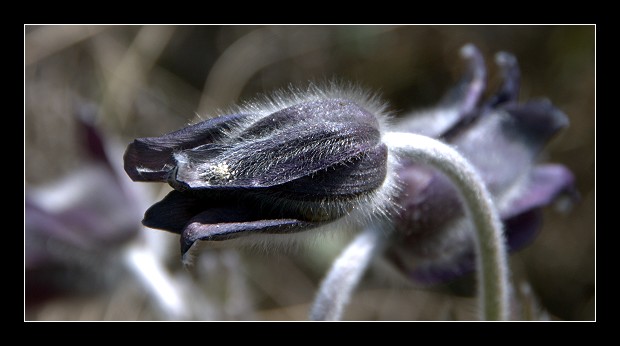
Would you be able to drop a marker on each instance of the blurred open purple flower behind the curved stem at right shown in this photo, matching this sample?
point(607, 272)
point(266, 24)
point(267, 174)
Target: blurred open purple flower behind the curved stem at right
point(502, 139)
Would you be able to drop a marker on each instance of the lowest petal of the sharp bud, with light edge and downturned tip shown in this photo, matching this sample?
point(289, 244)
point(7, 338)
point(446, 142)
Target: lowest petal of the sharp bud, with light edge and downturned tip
point(225, 224)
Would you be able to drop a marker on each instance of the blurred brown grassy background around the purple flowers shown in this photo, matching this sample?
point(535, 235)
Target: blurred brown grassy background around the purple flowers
point(149, 80)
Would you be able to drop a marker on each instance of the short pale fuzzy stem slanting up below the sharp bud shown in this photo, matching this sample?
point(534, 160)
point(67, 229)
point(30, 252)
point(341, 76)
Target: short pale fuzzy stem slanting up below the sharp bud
point(344, 275)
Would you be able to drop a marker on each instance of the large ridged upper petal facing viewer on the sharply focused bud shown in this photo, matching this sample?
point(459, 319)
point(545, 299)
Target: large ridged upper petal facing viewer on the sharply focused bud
point(266, 157)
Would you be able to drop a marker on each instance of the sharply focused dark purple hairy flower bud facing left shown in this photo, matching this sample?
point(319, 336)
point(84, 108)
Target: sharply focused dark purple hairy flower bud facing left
point(278, 168)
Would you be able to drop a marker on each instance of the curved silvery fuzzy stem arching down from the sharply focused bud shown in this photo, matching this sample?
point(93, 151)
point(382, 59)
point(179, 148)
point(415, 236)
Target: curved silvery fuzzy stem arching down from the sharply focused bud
point(490, 244)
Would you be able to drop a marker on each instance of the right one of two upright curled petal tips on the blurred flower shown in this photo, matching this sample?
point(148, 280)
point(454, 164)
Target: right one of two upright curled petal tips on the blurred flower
point(509, 90)
